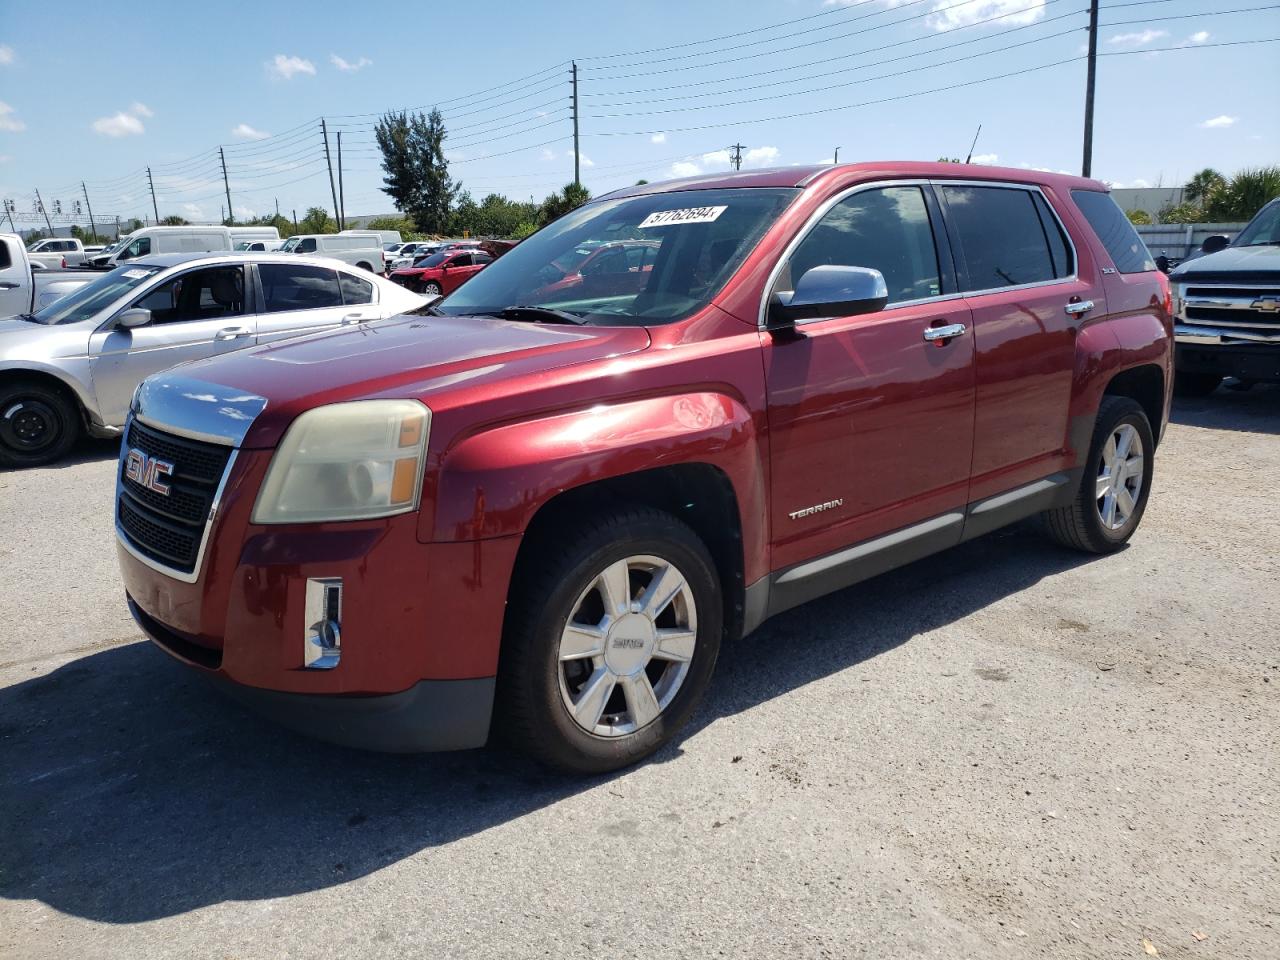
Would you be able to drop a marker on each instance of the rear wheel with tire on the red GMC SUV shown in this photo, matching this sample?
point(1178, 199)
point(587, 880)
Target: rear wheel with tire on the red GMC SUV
point(1085, 525)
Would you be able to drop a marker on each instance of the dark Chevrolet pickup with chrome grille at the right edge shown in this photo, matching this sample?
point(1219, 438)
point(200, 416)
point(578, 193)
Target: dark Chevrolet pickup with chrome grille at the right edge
point(1228, 309)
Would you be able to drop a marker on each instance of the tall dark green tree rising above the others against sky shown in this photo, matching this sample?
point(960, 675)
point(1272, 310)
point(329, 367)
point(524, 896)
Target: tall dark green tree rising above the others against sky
point(417, 173)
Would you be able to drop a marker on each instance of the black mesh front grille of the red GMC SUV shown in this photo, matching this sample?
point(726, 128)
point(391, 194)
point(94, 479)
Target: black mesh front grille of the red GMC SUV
point(168, 529)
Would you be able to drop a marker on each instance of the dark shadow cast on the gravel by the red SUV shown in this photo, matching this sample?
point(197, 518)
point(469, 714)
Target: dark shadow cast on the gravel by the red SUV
point(134, 792)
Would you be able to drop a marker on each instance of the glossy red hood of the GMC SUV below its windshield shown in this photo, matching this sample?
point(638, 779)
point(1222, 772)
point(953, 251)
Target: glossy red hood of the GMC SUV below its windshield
point(406, 356)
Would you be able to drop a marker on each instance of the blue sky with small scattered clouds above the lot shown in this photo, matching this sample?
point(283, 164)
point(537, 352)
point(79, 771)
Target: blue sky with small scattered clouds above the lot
point(98, 93)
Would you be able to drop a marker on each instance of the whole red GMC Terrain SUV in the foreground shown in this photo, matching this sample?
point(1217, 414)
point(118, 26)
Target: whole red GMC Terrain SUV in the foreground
point(548, 509)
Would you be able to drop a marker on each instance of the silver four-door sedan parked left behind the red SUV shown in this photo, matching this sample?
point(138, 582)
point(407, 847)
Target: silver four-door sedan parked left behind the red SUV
point(72, 367)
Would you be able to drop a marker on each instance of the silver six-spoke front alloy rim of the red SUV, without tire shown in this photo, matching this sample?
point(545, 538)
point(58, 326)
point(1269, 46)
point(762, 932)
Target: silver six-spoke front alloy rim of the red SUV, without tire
point(627, 647)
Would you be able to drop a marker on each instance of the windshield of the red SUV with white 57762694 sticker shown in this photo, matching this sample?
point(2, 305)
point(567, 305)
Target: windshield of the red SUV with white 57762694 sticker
point(653, 259)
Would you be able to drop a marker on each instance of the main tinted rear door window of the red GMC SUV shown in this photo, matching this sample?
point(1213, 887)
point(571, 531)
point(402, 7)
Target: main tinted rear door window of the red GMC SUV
point(1002, 240)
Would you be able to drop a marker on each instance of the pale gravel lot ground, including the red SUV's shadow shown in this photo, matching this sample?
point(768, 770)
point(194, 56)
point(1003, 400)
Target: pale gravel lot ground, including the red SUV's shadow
point(1005, 751)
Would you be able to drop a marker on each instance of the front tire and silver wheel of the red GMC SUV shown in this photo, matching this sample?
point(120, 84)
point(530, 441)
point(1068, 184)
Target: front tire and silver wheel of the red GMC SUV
point(614, 691)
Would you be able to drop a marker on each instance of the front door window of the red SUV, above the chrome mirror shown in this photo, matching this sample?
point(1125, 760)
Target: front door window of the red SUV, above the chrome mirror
point(886, 230)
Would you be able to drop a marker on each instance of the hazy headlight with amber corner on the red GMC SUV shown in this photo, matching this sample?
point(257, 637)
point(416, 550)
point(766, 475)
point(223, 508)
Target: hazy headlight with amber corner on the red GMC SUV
point(348, 461)
